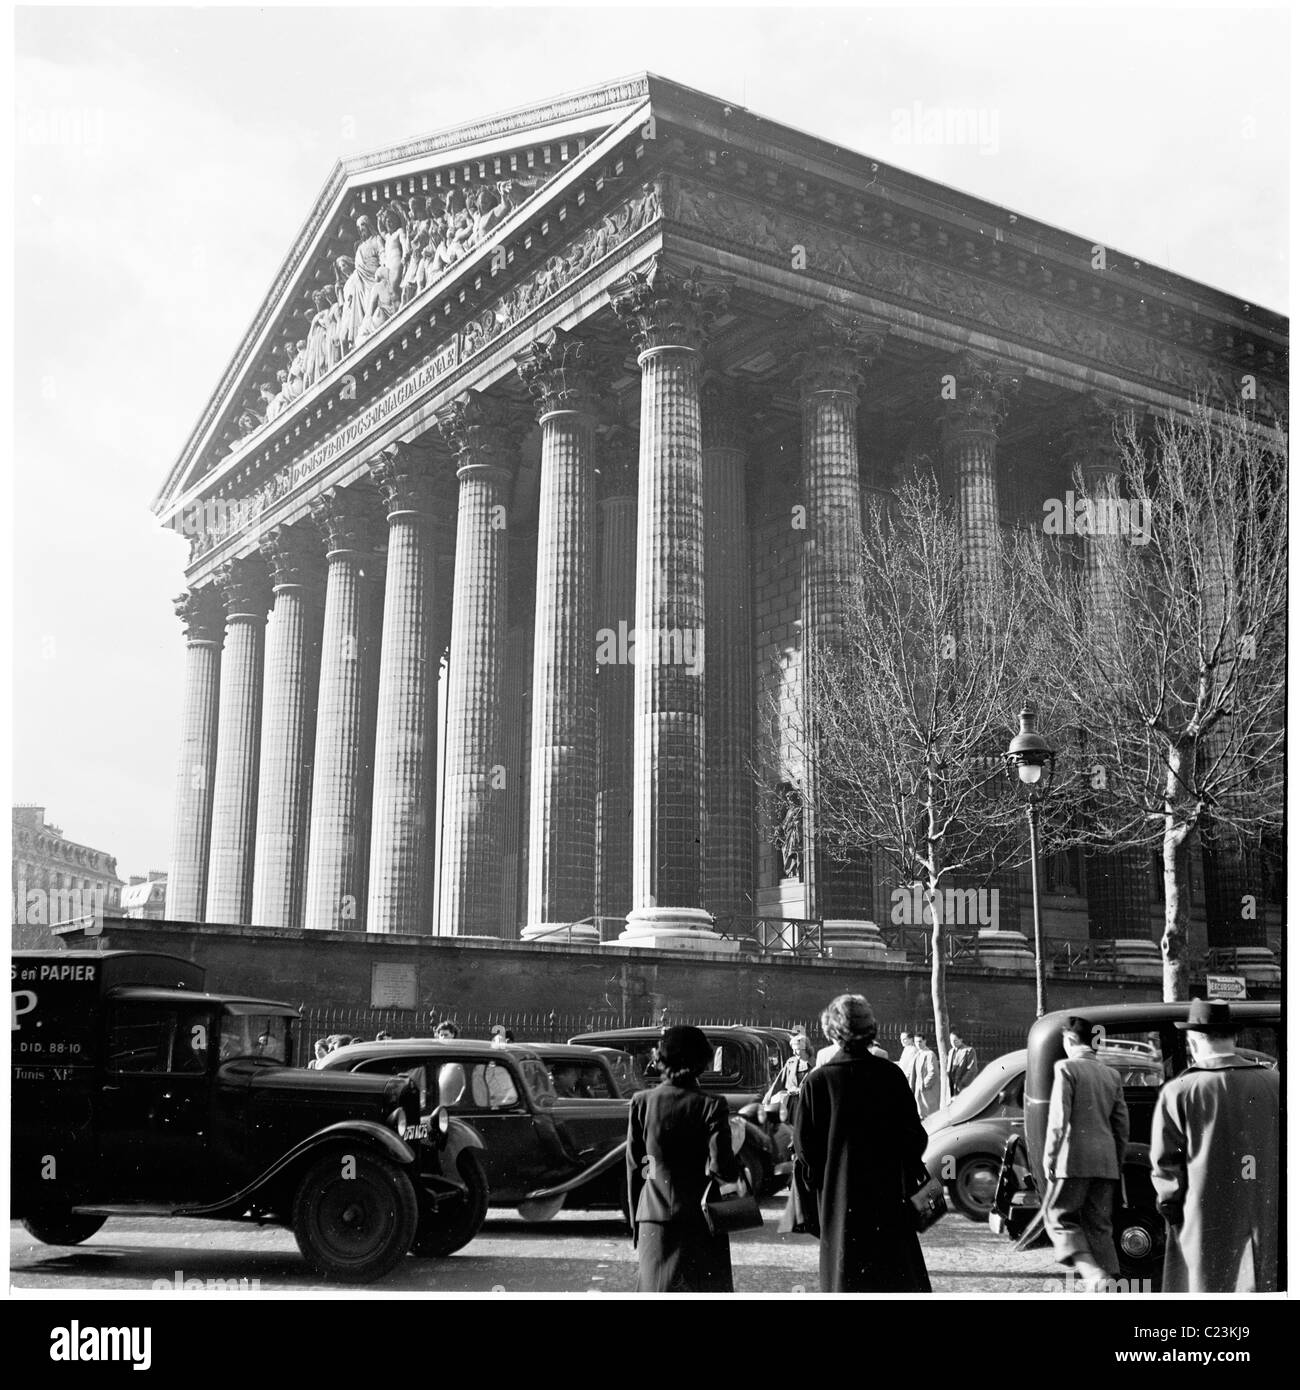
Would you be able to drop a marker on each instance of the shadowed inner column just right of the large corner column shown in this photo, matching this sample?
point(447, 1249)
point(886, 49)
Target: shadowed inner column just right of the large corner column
point(729, 690)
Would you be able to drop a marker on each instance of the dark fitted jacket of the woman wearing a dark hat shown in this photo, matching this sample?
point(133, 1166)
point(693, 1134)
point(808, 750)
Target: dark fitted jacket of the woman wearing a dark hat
point(676, 1139)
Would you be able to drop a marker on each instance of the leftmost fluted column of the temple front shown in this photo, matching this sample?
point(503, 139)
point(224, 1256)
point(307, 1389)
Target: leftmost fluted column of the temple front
point(191, 828)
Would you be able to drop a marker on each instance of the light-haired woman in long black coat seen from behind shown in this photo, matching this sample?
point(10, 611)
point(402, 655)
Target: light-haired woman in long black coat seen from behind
point(860, 1140)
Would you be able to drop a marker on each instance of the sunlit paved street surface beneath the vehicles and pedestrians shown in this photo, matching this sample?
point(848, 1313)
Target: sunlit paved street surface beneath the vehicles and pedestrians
point(579, 1253)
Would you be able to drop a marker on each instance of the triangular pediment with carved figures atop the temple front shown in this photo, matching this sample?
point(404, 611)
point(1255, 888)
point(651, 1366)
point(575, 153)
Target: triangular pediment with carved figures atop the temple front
point(386, 230)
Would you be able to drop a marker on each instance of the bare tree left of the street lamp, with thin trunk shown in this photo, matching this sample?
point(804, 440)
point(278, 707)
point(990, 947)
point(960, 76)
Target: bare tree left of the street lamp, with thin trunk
point(909, 717)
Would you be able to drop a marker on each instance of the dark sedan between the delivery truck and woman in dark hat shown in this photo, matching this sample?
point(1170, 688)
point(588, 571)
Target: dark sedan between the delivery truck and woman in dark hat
point(542, 1152)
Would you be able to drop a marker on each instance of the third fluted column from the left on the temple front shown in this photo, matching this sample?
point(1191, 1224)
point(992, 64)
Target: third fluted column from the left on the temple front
point(289, 728)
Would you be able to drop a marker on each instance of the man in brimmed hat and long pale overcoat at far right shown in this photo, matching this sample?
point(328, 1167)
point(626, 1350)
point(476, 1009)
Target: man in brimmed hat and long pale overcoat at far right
point(1216, 1164)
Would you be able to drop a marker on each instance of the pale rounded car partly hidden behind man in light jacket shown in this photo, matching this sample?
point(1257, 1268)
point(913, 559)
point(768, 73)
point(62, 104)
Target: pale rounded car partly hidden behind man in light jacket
point(970, 1135)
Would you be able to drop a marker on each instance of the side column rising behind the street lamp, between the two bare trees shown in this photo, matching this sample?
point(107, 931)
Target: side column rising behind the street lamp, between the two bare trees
point(977, 400)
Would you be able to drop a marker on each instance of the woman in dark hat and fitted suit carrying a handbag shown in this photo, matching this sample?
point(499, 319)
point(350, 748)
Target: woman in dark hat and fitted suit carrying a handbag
point(678, 1139)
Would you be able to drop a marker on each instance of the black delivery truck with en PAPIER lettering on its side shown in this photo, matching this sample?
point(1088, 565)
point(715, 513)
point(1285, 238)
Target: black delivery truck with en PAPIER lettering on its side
point(137, 1093)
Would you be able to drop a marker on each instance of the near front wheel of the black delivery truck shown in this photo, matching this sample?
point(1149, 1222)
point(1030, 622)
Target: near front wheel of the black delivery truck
point(355, 1217)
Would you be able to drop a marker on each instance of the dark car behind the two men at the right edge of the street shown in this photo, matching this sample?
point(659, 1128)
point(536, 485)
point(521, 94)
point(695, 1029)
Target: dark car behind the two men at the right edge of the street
point(1148, 1033)
